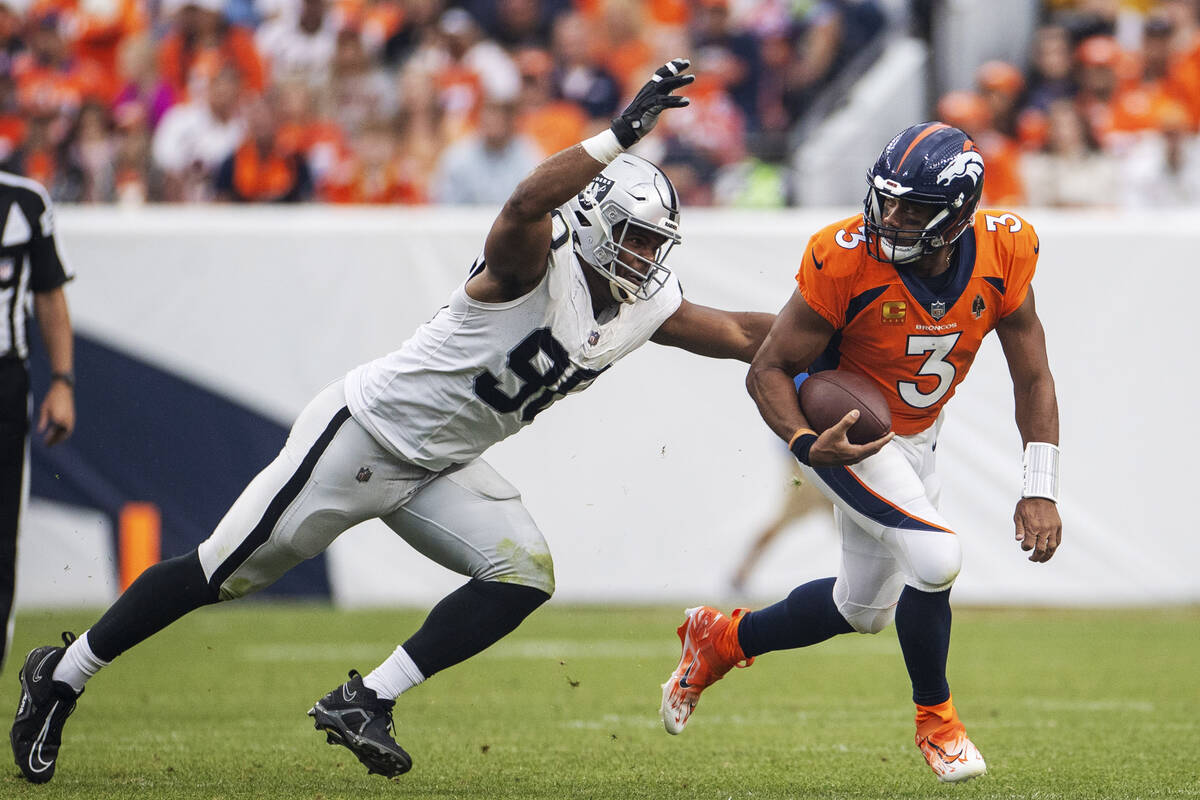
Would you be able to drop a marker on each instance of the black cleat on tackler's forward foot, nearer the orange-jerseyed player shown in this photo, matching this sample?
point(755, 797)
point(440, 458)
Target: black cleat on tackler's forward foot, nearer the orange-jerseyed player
point(357, 719)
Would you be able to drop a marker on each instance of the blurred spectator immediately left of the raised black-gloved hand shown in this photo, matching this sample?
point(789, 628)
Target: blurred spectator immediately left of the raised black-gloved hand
point(580, 75)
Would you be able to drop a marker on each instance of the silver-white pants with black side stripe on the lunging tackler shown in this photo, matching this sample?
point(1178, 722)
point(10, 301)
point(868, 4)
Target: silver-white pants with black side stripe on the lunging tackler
point(332, 476)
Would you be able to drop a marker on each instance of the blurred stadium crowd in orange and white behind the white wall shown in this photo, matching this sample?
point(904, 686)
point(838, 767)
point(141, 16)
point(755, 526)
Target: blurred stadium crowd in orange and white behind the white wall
point(434, 101)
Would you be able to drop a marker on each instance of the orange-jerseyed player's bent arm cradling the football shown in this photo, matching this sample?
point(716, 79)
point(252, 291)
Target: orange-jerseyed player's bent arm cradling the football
point(795, 341)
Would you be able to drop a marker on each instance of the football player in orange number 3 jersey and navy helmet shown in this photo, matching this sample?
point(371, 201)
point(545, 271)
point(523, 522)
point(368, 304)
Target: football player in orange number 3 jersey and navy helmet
point(903, 293)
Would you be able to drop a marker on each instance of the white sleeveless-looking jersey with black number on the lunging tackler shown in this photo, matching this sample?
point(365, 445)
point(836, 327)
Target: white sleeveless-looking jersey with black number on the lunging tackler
point(479, 372)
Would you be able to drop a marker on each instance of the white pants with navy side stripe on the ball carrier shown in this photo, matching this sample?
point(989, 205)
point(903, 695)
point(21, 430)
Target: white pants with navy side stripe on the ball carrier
point(892, 534)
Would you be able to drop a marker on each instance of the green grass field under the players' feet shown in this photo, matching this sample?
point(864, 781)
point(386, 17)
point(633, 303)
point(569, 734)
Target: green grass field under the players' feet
point(1063, 705)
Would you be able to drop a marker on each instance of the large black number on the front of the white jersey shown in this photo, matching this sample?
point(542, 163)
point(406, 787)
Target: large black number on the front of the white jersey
point(555, 382)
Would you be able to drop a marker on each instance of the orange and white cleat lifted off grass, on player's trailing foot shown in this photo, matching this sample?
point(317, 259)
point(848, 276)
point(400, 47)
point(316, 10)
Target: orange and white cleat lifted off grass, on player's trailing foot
point(710, 651)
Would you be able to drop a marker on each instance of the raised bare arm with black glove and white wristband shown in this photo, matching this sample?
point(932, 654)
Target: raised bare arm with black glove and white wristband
point(519, 242)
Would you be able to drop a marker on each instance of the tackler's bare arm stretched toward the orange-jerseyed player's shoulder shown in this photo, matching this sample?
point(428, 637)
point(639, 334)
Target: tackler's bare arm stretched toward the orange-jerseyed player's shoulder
point(715, 333)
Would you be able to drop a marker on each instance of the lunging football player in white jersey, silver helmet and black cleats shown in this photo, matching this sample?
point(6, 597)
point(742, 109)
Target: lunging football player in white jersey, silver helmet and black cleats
point(572, 279)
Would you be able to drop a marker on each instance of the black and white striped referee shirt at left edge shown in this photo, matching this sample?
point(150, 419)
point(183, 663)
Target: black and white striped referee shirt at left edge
point(31, 261)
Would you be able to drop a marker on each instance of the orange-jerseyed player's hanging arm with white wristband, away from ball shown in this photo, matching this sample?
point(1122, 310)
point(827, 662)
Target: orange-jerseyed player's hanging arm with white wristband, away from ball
point(1022, 336)
